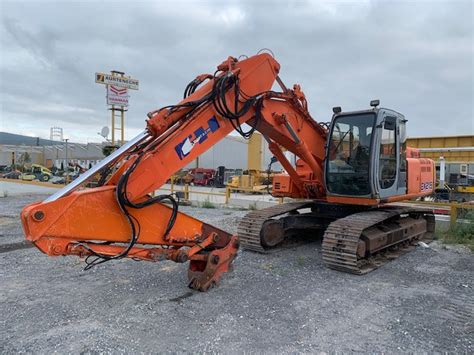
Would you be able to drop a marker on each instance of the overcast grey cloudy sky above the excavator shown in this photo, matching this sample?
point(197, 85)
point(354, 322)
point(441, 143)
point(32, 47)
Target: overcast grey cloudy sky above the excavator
point(416, 57)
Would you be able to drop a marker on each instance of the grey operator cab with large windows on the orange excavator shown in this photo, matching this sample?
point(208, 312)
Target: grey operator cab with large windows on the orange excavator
point(366, 153)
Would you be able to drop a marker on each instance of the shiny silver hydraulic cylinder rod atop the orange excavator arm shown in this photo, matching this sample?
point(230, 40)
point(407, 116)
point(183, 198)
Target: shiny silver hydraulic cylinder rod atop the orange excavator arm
point(96, 168)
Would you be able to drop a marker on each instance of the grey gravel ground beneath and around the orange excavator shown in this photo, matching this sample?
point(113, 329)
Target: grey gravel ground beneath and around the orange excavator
point(283, 302)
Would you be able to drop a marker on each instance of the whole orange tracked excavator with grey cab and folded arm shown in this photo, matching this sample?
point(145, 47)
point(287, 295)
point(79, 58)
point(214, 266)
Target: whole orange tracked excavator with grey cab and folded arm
point(346, 174)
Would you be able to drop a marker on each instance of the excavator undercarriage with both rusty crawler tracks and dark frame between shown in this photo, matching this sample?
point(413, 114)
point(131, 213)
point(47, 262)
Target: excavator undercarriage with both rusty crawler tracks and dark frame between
point(356, 239)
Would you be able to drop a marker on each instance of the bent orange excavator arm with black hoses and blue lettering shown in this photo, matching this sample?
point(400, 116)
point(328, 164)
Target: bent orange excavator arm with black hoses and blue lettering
point(122, 218)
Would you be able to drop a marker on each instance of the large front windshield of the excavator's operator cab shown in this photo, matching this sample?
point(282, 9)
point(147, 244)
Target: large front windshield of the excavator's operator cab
point(349, 155)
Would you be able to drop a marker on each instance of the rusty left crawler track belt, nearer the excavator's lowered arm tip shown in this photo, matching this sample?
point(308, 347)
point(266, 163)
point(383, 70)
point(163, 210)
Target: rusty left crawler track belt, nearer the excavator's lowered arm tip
point(251, 224)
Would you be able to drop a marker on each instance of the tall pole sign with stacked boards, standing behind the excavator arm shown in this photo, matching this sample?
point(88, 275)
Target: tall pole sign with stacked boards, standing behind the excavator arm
point(117, 85)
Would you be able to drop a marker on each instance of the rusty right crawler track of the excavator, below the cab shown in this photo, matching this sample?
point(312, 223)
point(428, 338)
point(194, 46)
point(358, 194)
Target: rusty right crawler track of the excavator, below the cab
point(342, 238)
